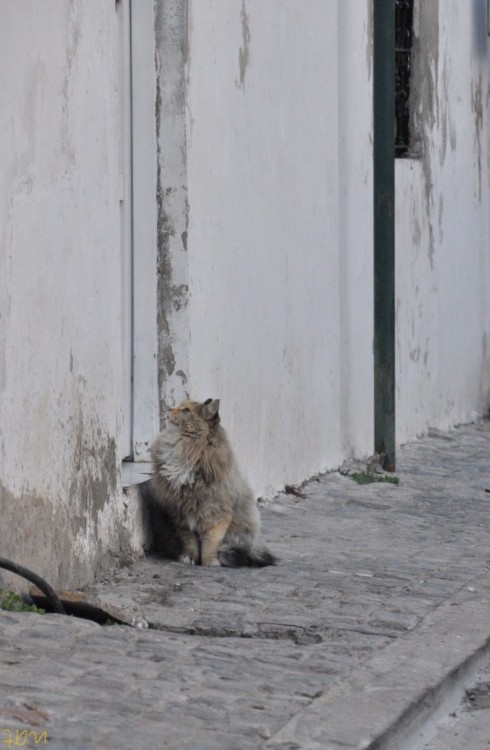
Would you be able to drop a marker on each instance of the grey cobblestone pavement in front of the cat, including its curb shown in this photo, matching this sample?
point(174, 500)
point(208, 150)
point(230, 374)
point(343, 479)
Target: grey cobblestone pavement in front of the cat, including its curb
point(370, 576)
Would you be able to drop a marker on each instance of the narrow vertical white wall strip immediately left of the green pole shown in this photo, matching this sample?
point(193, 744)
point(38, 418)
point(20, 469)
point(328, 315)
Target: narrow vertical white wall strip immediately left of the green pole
point(356, 227)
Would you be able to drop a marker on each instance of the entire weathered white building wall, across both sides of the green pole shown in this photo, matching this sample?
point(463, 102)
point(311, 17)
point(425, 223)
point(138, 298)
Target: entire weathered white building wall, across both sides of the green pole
point(260, 236)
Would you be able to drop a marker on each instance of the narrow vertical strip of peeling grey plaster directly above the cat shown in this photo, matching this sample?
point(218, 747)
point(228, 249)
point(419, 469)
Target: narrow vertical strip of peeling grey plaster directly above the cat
point(172, 52)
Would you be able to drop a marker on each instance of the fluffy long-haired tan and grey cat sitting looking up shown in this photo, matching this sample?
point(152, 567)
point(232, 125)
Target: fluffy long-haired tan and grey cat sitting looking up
point(198, 485)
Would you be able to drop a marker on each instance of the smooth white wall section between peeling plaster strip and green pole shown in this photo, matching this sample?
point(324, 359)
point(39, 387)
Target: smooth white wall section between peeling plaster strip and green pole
point(279, 194)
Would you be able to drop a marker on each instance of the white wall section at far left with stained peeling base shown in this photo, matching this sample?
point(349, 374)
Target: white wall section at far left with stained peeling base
point(60, 287)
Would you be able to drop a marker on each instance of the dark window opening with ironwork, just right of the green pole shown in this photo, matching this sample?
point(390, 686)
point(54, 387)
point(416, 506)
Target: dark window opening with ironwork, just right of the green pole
point(403, 69)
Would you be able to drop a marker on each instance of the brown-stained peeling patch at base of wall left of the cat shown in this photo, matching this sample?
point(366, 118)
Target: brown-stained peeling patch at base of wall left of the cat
point(67, 538)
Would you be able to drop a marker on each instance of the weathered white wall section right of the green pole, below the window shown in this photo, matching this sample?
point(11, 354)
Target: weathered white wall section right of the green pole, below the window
point(443, 259)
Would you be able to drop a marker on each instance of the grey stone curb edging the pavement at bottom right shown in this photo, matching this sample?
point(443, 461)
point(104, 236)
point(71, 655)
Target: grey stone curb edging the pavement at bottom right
point(393, 701)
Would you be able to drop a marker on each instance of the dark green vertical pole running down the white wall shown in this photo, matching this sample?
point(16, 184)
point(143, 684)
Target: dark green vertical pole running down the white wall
point(384, 228)
